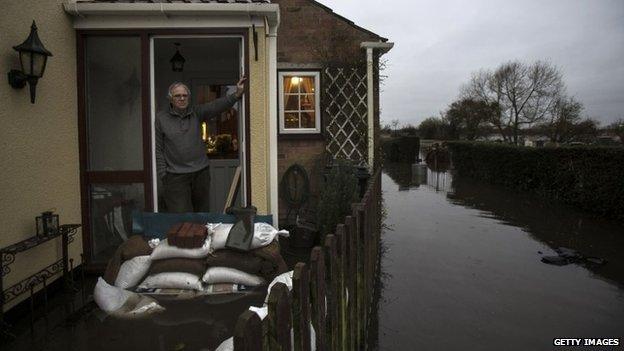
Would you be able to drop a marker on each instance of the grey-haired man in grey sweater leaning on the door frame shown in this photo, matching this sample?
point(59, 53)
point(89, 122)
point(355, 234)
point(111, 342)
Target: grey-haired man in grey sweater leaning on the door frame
point(181, 159)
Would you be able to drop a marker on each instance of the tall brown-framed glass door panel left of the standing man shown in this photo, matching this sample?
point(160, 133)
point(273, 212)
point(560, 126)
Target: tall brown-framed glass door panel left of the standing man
point(113, 133)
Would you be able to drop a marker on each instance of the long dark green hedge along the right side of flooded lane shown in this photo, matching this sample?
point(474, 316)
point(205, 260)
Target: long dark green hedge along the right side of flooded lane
point(591, 177)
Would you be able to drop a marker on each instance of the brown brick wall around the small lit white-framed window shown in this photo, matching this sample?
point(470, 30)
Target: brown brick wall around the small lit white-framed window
point(311, 36)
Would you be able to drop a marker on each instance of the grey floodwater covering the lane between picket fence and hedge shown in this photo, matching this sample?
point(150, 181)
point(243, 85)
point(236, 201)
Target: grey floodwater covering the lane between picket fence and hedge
point(462, 268)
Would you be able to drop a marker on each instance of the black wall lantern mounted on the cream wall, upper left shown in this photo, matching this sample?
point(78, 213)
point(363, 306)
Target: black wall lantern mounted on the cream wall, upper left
point(33, 58)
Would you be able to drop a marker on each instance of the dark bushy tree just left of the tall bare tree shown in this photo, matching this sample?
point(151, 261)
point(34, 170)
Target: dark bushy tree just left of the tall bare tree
point(467, 117)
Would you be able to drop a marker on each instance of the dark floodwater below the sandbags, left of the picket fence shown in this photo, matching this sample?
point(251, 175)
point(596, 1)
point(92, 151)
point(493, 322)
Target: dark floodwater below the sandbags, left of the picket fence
point(198, 324)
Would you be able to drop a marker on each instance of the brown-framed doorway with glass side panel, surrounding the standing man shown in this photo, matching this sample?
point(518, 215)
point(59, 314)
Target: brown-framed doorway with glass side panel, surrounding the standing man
point(123, 78)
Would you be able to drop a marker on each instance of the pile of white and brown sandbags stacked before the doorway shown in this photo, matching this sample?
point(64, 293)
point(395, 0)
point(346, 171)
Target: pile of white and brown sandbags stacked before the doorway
point(157, 264)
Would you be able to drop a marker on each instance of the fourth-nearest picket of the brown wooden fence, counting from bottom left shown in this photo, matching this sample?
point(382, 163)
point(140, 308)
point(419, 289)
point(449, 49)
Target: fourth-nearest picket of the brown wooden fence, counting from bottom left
point(317, 278)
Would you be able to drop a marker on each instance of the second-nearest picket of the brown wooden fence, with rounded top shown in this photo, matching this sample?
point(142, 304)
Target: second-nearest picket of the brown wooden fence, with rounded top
point(279, 318)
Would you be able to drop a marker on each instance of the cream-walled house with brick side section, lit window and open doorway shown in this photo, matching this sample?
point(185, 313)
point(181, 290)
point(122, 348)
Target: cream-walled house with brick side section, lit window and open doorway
point(85, 148)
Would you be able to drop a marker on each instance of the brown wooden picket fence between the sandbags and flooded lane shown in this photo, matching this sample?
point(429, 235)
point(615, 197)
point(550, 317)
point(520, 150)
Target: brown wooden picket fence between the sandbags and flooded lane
point(333, 292)
